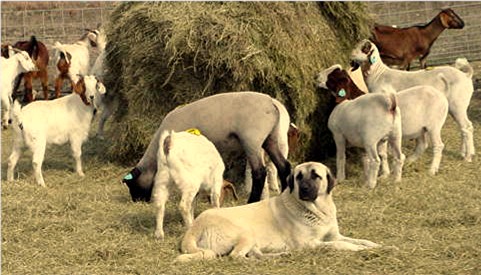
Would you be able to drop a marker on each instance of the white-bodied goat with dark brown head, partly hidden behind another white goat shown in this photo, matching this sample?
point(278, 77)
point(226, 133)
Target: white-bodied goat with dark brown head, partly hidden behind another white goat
point(424, 110)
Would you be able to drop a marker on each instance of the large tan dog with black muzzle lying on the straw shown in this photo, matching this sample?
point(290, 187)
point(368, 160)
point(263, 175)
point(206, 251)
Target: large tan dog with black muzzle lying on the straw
point(304, 215)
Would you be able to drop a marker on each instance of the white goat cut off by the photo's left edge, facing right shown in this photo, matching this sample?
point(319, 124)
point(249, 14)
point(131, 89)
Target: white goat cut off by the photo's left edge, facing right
point(18, 63)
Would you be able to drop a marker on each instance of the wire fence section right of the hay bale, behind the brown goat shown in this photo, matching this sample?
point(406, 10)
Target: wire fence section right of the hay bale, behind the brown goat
point(451, 44)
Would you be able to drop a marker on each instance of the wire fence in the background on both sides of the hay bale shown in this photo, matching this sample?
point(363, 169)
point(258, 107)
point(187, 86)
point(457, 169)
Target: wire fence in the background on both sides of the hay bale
point(65, 22)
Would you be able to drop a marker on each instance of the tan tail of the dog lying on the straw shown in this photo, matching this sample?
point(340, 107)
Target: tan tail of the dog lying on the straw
point(192, 251)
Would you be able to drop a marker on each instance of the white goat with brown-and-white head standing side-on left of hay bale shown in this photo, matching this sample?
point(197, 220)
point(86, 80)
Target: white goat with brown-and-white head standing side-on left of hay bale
point(73, 115)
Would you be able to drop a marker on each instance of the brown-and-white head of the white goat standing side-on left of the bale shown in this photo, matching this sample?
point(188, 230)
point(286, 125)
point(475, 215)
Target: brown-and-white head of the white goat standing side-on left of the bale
point(90, 89)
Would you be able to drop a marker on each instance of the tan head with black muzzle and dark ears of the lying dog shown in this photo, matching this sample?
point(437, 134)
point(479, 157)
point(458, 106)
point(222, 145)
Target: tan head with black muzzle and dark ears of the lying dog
point(311, 180)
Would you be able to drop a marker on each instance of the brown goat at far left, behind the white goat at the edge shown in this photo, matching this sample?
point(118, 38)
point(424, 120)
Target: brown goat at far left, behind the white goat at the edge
point(39, 54)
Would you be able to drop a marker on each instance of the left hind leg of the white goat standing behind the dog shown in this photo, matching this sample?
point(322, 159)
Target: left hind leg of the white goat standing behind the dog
point(160, 194)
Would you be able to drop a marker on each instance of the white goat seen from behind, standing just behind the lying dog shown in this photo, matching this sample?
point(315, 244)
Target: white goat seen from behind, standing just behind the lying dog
point(192, 162)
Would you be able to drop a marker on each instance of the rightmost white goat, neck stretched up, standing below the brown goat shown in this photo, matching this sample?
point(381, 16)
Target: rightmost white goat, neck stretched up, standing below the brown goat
point(456, 85)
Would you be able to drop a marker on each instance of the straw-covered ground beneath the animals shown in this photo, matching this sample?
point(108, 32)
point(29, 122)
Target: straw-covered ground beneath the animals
point(426, 224)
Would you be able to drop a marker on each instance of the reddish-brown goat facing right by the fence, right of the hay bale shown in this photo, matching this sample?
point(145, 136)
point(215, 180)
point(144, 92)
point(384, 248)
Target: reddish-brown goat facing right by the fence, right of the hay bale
point(400, 46)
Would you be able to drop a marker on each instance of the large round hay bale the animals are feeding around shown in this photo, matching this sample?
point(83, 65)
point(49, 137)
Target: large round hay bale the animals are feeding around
point(165, 54)
